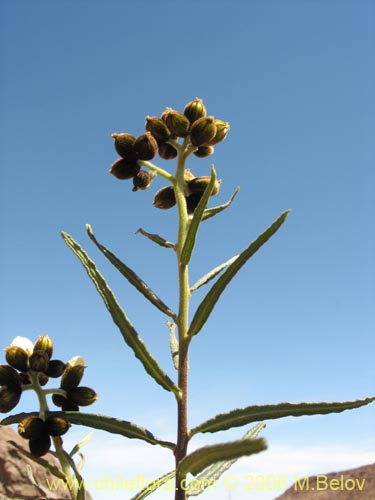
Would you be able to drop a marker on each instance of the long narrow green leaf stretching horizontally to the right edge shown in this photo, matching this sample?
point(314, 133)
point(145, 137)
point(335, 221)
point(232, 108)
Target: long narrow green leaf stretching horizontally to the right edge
point(244, 416)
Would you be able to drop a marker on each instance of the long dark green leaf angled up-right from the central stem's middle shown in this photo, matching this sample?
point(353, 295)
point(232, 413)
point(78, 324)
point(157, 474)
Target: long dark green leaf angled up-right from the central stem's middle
point(206, 306)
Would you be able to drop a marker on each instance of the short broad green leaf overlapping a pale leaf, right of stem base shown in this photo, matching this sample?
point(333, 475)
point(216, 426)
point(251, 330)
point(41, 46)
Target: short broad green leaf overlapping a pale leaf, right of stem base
point(200, 459)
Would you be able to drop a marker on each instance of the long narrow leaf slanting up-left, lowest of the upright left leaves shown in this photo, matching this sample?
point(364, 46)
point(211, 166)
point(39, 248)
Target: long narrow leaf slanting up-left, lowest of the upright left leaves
point(128, 331)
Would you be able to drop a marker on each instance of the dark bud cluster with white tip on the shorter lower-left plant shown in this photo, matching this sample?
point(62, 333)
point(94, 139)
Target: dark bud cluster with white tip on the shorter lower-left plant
point(30, 367)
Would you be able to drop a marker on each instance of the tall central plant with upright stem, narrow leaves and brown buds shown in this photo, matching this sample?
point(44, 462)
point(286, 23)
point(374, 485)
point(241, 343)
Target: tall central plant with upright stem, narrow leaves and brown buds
point(176, 136)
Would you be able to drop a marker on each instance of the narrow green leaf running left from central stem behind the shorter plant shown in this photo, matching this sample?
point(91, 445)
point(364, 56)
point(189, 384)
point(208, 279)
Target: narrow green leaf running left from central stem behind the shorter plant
point(101, 422)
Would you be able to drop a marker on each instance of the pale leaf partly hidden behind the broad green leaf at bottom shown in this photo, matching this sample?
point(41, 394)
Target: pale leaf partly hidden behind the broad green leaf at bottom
point(210, 475)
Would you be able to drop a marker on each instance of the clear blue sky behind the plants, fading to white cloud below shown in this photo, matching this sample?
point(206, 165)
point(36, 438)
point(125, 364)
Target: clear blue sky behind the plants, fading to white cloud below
point(295, 79)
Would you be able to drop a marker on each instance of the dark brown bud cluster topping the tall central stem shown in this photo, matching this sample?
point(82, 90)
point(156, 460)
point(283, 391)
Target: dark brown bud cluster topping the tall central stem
point(200, 133)
